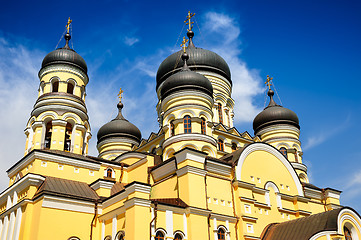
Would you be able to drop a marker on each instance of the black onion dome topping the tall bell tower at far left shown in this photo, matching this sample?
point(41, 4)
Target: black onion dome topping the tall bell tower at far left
point(65, 55)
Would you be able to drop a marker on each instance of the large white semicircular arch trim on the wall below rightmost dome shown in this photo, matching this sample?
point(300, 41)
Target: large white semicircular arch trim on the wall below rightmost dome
point(265, 147)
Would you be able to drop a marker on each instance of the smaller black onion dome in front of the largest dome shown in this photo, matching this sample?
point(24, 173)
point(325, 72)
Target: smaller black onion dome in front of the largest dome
point(185, 79)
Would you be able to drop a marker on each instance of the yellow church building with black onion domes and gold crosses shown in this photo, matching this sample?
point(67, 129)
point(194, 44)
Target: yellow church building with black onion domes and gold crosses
point(197, 177)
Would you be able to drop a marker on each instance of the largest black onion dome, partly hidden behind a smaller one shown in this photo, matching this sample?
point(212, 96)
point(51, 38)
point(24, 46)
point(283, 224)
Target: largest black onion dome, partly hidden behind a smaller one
point(200, 59)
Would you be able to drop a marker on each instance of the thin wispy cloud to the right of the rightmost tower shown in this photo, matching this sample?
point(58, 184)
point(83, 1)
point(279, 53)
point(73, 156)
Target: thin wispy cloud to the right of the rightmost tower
point(325, 134)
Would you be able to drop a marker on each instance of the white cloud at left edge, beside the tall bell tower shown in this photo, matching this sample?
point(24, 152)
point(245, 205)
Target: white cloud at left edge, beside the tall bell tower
point(19, 83)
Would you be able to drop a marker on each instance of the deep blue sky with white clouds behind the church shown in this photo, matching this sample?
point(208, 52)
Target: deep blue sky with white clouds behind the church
point(311, 48)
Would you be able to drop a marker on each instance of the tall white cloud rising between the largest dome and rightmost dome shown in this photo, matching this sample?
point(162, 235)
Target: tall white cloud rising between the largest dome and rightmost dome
point(223, 34)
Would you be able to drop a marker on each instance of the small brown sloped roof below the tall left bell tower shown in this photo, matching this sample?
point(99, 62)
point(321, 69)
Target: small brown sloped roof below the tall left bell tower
point(66, 188)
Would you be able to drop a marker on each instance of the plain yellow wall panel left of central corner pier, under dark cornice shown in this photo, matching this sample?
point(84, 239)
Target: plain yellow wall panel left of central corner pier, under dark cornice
point(171, 186)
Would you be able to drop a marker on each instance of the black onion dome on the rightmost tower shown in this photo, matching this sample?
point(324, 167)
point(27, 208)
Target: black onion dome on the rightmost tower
point(274, 114)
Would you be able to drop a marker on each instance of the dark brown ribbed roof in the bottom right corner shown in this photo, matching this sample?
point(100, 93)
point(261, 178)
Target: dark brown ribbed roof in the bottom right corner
point(302, 228)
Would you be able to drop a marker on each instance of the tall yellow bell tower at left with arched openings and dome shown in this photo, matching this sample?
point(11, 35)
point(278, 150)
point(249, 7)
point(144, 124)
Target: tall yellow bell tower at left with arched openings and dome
point(59, 119)
